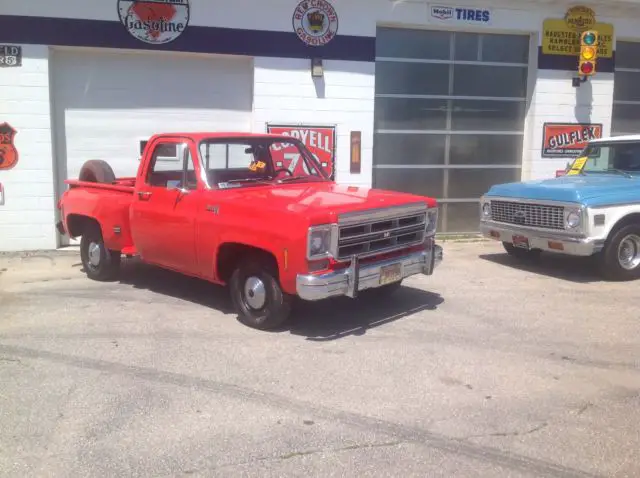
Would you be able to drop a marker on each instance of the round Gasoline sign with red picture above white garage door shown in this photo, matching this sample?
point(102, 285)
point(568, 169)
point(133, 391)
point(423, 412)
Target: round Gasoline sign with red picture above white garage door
point(154, 21)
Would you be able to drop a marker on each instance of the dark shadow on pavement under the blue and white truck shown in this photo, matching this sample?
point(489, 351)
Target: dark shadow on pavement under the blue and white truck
point(558, 266)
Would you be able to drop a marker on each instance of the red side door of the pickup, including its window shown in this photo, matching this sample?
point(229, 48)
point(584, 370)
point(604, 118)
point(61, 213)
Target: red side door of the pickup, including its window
point(165, 205)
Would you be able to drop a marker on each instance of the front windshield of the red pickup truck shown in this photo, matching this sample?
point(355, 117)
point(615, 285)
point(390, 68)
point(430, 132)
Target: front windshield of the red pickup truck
point(257, 160)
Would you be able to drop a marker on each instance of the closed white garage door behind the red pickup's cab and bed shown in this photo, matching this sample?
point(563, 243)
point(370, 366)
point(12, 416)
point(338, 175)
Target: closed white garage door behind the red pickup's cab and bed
point(107, 102)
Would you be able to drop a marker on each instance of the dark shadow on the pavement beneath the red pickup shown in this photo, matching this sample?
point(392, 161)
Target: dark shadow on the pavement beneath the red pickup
point(325, 320)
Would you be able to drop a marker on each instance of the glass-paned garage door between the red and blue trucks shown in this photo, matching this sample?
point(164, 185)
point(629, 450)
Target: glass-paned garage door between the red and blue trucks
point(449, 116)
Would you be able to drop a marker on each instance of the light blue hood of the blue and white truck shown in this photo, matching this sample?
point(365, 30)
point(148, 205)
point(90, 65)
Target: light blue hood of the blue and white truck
point(579, 188)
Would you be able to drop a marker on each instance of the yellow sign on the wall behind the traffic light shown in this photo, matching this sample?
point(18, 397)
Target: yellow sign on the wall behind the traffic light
point(559, 39)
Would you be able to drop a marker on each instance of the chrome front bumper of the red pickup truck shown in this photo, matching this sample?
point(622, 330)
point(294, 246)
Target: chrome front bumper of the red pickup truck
point(358, 277)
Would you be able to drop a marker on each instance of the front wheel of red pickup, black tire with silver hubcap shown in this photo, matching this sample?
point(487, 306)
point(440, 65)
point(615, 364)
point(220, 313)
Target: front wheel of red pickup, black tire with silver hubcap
point(276, 307)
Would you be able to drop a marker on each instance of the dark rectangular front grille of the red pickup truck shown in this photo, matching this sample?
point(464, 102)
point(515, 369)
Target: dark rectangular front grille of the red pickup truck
point(381, 234)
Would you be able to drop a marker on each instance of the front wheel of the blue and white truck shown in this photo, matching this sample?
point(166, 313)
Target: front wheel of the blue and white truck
point(610, 260)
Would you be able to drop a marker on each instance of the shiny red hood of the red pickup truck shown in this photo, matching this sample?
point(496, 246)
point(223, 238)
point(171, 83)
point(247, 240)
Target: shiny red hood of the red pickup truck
point(320, 202)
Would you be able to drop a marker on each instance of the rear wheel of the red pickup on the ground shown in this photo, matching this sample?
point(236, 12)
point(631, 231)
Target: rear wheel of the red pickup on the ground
point(99, 263)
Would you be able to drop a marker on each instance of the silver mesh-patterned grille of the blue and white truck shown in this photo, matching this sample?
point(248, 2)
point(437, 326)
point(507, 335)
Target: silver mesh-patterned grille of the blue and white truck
point(527, 214)
